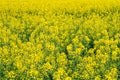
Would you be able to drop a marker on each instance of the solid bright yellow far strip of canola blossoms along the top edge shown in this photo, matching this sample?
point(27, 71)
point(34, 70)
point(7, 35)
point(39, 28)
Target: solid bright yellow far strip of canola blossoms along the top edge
point(68, 4)
